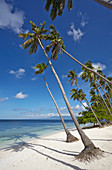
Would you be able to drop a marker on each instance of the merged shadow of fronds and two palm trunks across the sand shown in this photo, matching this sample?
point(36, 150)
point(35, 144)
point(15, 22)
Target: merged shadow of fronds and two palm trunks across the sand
point(22, 145)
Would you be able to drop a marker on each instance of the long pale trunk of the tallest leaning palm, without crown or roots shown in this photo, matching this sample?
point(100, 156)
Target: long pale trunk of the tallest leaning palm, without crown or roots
point(86, 141)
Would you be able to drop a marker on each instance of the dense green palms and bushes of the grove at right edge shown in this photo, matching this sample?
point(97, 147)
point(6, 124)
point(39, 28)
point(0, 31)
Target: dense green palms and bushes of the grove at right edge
point(101, 102)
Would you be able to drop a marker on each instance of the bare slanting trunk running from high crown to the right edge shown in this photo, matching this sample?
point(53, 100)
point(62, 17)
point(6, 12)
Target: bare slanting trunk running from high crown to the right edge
point(87, 67)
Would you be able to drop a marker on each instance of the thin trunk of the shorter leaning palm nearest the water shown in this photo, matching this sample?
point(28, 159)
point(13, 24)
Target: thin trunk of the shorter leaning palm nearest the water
point(70, 137)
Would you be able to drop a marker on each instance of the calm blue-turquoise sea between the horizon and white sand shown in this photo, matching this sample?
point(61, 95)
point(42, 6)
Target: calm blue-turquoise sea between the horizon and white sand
point(14, 131)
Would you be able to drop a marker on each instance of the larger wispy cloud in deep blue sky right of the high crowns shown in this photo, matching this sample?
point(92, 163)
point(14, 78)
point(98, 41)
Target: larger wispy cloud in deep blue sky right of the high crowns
point(77, 34)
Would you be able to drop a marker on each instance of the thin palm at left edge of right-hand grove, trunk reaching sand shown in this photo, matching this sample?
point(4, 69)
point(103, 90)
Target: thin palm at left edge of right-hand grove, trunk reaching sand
point(73, 77)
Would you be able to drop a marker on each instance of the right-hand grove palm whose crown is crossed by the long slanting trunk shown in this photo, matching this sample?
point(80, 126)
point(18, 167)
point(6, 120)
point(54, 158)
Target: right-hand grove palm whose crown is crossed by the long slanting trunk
point(86, 75)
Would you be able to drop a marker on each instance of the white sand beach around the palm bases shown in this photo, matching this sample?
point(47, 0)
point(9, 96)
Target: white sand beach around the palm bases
point(53, 153)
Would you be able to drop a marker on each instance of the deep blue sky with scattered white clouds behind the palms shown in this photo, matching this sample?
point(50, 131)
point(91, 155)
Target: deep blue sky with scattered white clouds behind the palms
point(87, 34)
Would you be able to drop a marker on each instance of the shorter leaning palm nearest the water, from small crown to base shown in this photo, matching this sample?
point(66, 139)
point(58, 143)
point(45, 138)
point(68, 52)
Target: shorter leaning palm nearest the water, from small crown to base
point(41, 67)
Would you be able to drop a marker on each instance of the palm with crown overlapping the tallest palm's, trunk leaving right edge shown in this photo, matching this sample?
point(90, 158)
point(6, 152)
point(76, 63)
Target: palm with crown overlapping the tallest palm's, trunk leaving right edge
point(56, 44)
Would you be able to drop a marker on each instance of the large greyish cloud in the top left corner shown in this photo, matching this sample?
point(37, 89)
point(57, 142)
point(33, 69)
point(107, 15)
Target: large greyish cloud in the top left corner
point(11, 18)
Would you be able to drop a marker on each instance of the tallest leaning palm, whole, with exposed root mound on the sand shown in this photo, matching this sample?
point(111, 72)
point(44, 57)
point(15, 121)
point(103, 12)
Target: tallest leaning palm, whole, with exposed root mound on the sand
point(37, 36)
